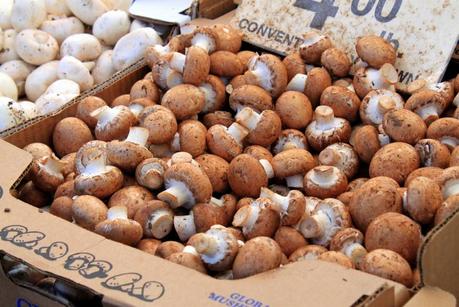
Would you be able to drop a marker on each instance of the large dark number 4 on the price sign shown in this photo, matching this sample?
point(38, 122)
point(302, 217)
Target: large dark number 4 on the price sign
point(322, 9)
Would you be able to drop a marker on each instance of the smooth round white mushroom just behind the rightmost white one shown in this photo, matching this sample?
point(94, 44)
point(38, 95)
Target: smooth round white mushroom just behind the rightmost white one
point(111, 26)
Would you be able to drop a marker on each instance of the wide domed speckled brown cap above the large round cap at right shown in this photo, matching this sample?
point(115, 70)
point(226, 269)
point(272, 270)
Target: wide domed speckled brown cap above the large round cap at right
point(395, 160)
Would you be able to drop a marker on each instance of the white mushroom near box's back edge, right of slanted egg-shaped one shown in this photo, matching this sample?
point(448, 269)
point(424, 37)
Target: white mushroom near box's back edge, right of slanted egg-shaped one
point(72, 69)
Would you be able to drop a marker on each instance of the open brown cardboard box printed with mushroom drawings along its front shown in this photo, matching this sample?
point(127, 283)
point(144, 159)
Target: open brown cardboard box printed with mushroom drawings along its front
point(137, 279)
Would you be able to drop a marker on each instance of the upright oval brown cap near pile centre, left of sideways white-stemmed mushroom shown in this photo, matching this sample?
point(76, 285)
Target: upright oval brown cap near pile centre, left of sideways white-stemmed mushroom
point(192, 137)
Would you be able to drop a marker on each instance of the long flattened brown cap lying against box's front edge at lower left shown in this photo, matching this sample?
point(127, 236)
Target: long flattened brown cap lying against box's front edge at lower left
point(125, 231)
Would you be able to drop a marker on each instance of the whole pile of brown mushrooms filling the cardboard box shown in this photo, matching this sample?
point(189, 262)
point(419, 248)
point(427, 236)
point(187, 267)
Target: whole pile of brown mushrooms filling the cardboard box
point(234, 163)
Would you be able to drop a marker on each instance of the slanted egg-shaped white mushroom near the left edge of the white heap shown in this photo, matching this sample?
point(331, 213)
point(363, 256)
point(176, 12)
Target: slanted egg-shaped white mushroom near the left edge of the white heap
point(39, 80)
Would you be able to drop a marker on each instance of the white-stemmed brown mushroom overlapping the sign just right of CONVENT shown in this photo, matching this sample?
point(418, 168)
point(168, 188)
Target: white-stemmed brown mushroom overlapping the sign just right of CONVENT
point(313, 46)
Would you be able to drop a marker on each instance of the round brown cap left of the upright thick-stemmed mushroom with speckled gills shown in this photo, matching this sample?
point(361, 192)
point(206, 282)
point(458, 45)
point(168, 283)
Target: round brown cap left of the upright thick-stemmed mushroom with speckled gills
point(294, 109)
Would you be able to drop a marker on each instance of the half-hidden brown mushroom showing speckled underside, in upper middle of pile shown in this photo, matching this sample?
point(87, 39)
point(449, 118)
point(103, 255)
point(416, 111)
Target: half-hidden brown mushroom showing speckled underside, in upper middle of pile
point(214, 92)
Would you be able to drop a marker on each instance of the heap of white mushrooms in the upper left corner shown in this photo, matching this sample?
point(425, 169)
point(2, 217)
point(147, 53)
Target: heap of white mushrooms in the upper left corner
point(52, 50)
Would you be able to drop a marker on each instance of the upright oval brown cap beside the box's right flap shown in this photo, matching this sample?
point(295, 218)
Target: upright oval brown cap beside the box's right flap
point(423, 198)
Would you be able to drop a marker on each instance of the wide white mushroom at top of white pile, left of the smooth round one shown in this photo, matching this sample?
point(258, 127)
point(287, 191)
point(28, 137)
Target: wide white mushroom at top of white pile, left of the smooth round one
point(62, 27)
